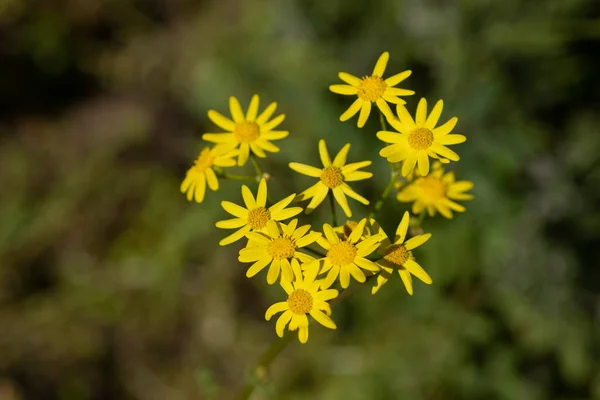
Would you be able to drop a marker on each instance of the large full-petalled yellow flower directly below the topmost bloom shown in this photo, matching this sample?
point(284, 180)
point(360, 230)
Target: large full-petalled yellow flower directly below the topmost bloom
point(419, 139)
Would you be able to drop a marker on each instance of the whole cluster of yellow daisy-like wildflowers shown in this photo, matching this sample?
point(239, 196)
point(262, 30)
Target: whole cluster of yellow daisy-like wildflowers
point(313, 265)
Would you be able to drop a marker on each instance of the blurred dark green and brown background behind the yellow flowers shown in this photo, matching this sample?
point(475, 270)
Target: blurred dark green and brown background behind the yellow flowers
point(112, 285)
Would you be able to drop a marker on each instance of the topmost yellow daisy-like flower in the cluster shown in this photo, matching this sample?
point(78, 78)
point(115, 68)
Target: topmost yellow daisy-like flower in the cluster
point(372, 89)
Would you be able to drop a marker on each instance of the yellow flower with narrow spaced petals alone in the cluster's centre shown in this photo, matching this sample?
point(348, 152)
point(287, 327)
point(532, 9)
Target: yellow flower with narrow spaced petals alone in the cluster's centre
point(334, 176)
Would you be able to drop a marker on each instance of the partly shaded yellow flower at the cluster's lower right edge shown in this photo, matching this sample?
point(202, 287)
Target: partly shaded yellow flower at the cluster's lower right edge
point(398, 256)
